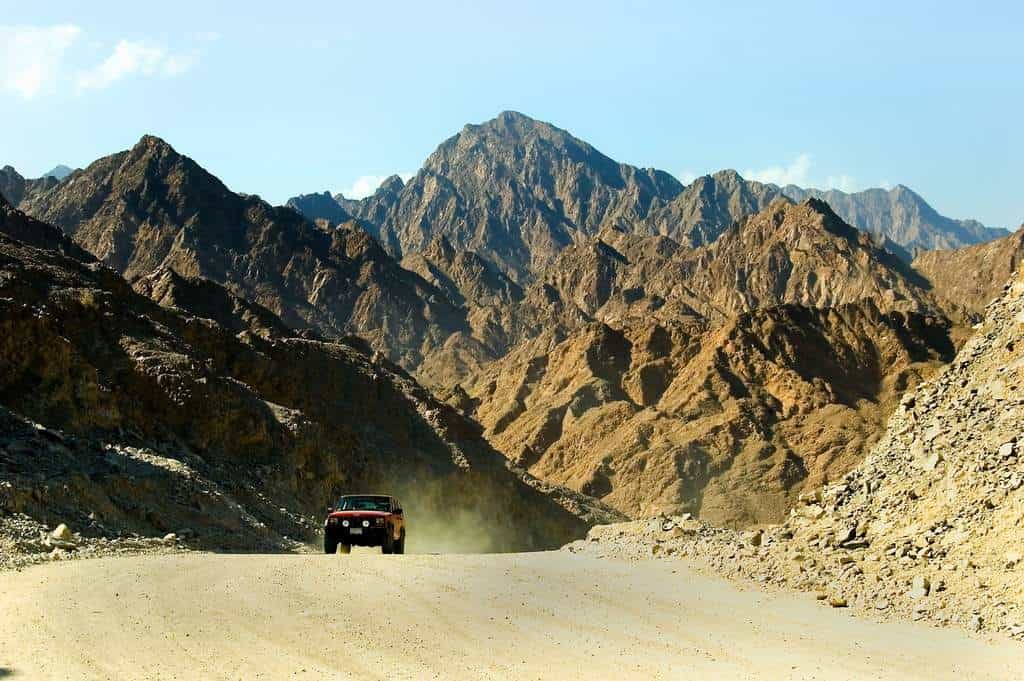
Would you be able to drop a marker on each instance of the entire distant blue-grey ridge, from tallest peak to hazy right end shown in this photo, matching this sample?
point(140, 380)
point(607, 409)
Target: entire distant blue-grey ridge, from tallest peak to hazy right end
point(517, 191)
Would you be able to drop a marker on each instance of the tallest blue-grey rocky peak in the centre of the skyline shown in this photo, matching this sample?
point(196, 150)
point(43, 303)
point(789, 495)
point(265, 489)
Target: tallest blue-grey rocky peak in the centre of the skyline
point(517, 192)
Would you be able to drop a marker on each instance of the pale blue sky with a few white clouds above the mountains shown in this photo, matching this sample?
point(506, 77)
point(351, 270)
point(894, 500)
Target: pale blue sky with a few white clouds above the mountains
point(285, 99)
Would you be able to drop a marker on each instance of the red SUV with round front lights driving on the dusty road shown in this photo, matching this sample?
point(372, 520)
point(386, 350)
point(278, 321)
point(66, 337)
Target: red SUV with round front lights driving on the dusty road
point(365, 521)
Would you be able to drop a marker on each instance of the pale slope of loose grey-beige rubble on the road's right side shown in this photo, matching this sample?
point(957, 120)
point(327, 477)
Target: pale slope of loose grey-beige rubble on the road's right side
point(930, 526)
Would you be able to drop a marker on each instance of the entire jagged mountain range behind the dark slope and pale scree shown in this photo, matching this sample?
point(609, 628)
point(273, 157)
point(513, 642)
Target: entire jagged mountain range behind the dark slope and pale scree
point(715, 348)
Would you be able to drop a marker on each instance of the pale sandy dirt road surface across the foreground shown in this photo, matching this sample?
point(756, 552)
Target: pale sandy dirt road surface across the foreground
point(543, 616)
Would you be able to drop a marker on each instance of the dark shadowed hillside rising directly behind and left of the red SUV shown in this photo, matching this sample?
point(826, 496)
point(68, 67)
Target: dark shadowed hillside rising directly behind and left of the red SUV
point(119, 416)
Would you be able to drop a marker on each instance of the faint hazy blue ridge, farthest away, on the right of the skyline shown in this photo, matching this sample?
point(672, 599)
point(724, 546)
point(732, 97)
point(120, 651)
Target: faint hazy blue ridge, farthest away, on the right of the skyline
point(901, 218)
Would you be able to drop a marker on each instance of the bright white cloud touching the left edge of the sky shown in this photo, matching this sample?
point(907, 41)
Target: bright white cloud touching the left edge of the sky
point(32, 57)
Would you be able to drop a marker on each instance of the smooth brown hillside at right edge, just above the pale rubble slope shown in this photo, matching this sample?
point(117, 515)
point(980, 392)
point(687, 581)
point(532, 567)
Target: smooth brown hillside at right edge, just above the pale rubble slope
point(966, 280)
